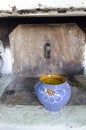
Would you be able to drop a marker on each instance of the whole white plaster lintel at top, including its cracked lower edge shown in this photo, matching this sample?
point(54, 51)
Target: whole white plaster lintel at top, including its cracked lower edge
point(42, 8)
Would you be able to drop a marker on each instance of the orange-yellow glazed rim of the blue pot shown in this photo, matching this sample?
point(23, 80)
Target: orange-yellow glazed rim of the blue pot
point(57, 76)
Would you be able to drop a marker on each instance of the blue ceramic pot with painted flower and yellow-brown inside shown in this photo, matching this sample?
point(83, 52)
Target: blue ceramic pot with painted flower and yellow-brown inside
point(53, 92)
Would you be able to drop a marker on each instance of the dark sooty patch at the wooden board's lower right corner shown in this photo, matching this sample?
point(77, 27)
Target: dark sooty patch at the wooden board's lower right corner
point(72, 69)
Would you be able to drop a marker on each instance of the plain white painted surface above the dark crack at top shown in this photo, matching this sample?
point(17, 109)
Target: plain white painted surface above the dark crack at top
point(30, 4)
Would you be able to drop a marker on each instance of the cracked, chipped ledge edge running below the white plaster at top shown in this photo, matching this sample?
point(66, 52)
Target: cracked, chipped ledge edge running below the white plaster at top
point(43, 13)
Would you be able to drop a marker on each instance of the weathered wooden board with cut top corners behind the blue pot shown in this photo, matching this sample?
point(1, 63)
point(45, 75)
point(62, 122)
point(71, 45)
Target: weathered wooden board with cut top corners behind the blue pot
point(27, 44)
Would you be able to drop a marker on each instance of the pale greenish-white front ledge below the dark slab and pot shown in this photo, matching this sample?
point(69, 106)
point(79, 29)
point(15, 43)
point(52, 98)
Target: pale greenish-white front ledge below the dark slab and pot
point(37, 117)
